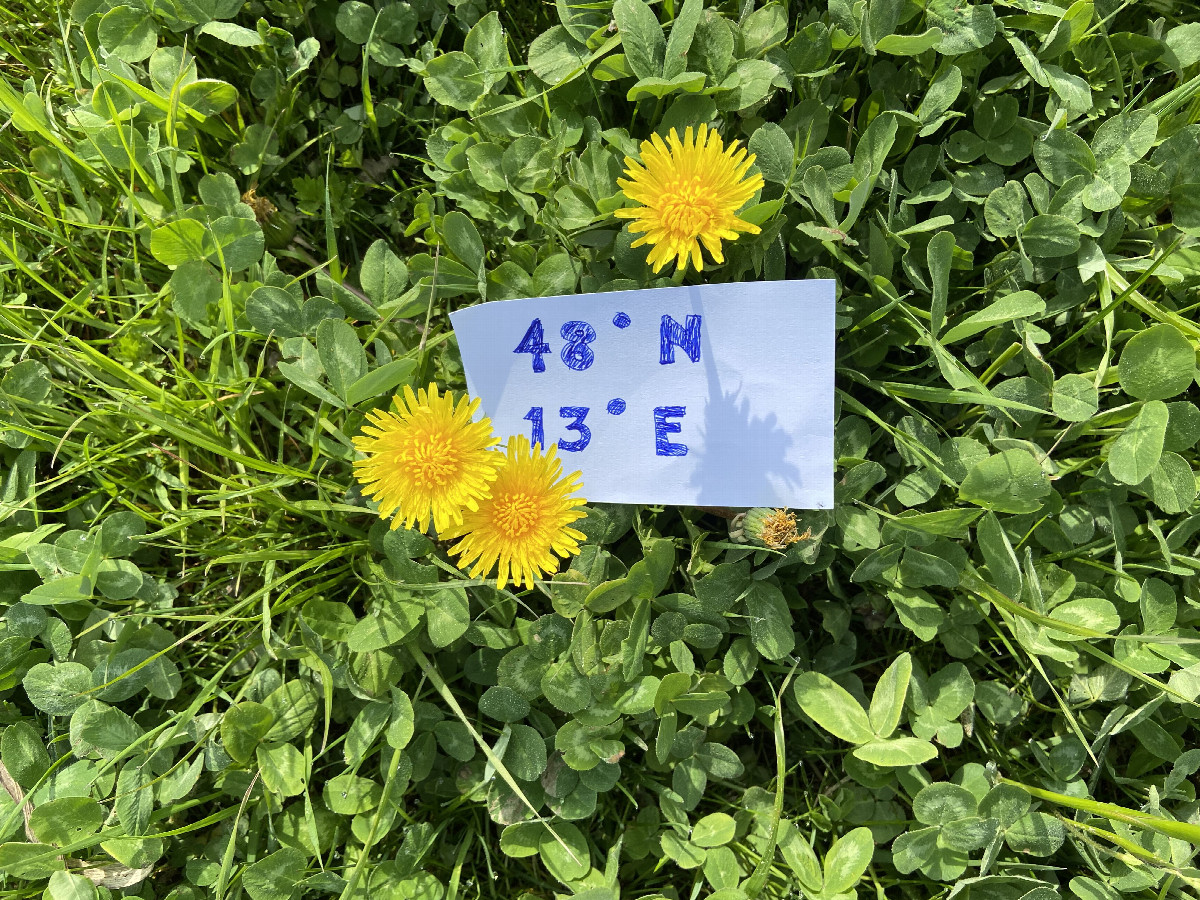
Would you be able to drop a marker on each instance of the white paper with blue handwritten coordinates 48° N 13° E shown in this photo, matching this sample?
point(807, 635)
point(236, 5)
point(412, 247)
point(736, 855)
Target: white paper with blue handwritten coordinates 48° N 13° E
point(713, 395)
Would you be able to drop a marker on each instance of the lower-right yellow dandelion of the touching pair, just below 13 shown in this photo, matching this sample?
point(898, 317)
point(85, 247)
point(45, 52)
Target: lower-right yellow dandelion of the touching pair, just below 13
point(525, 521)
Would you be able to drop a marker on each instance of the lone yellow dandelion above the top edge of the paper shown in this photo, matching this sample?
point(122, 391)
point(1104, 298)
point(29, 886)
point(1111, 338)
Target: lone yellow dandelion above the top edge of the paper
point(689, 194)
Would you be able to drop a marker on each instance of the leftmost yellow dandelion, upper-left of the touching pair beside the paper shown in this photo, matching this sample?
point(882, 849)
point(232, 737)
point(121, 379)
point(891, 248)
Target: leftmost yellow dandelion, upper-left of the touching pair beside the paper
point(427, 460)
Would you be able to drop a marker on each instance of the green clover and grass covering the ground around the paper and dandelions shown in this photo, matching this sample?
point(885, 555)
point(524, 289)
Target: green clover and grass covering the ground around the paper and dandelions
point(231, 231)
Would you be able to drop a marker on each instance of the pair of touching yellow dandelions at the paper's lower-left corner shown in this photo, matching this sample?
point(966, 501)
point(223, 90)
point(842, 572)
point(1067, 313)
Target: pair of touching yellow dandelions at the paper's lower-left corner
point(429, 461)
